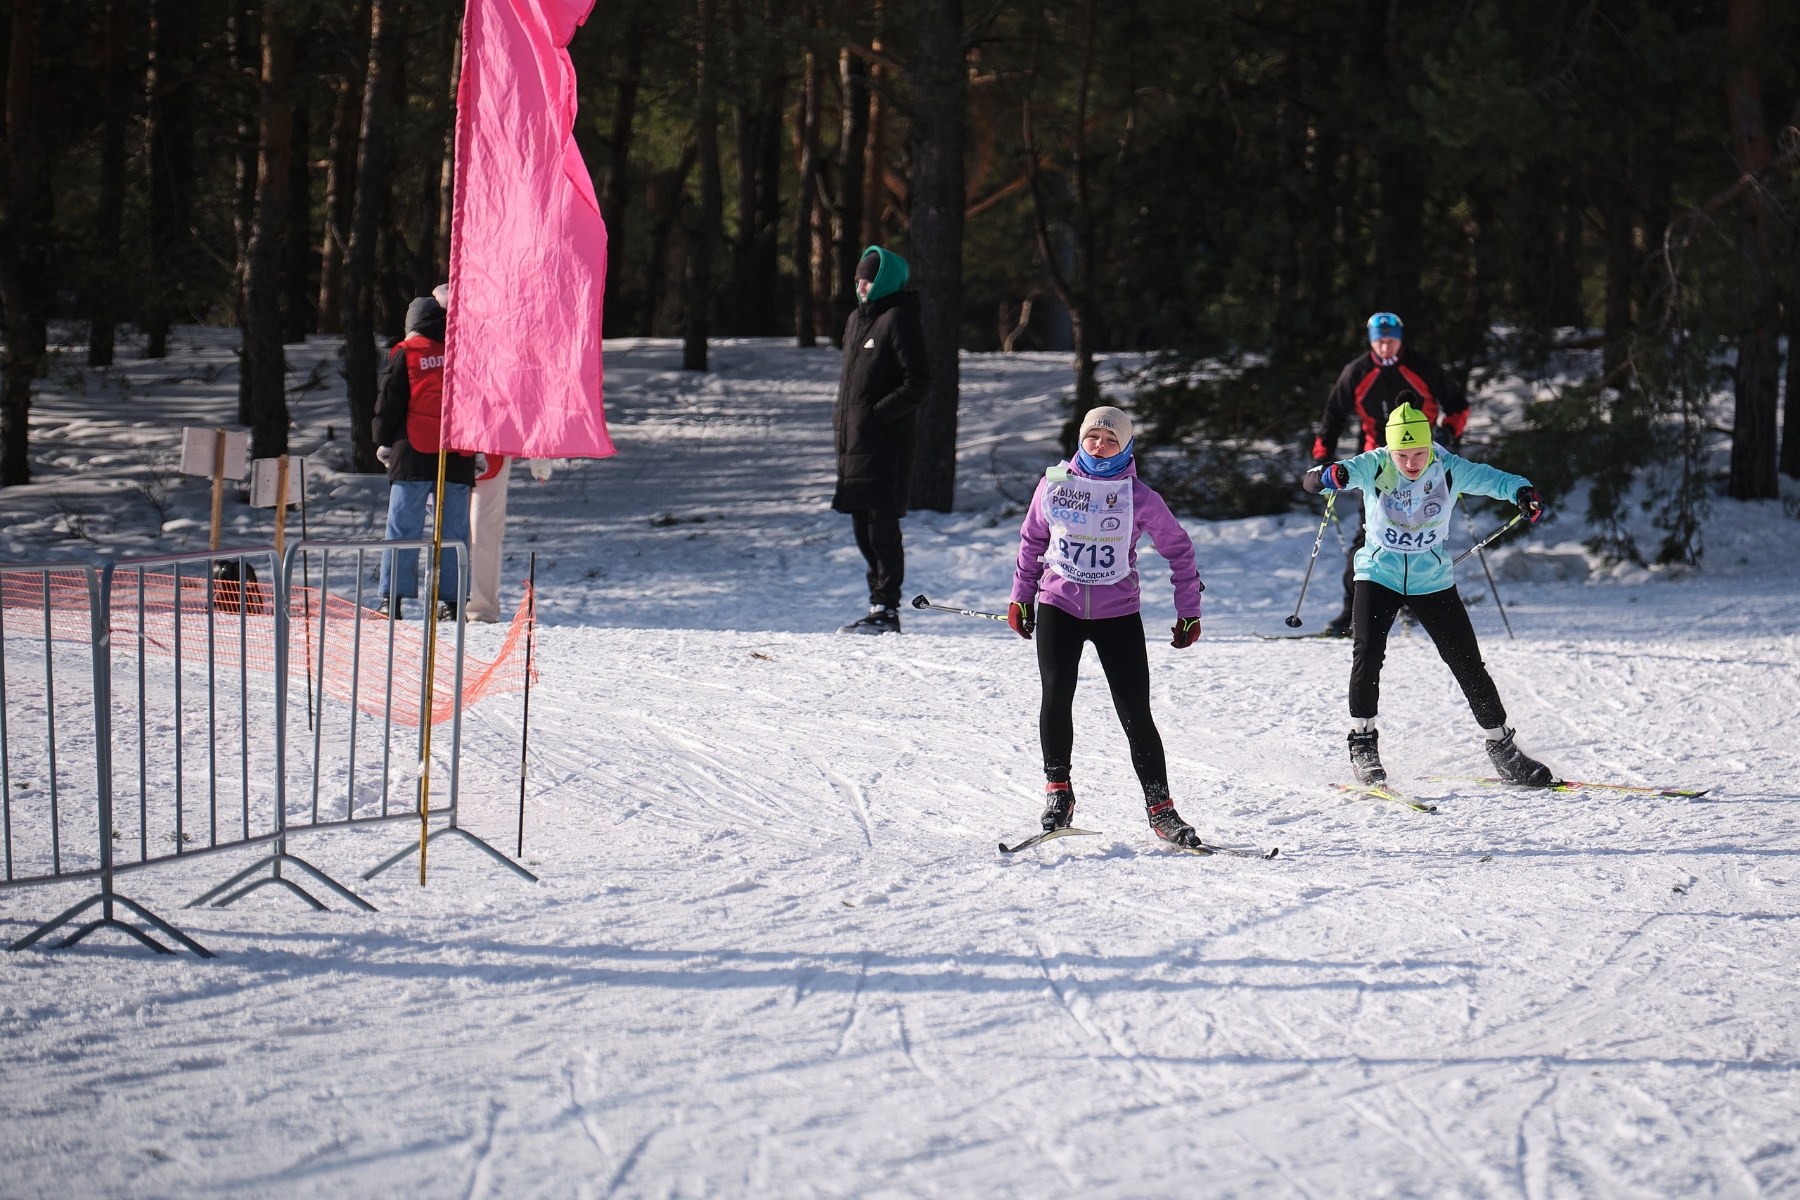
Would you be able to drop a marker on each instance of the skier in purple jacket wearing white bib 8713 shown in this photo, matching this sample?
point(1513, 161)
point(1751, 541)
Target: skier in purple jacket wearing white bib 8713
point(1084, 524)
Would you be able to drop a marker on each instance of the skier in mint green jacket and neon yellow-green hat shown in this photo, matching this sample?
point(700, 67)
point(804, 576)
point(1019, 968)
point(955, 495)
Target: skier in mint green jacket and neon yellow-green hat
point(1408, 496)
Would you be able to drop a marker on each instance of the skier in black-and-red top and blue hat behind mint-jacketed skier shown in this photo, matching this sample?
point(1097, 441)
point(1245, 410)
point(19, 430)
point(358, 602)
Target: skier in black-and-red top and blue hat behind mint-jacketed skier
point(1369, 390)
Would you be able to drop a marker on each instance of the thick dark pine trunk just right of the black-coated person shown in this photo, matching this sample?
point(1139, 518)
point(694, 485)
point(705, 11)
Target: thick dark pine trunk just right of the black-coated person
point(937, 206)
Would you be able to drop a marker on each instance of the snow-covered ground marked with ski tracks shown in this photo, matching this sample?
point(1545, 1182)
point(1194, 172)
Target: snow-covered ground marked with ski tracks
point(775, 951)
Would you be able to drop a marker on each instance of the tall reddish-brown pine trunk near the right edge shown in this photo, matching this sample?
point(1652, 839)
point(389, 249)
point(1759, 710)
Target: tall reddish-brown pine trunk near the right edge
point(1758, 375)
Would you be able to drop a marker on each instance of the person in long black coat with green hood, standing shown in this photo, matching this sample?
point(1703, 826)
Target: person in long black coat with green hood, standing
point(876, 420)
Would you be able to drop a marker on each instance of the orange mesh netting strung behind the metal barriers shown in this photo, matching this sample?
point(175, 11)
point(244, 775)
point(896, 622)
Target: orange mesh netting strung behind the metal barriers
point(343, 649)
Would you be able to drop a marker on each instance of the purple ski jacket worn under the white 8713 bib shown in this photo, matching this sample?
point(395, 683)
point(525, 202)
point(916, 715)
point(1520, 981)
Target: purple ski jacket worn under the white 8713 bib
point(1032, 582)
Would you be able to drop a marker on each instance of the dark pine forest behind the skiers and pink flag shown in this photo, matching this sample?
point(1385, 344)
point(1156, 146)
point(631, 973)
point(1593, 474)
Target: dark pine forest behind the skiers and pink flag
point(1223, 188)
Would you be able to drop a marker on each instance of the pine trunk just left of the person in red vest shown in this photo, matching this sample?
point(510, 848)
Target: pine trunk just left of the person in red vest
point(357, 310)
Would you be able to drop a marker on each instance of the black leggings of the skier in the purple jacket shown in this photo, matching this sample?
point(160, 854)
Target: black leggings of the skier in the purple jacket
point(1128, 667)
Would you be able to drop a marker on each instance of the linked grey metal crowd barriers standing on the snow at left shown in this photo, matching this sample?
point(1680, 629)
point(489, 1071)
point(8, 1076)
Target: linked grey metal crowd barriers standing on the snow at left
point(168, 681)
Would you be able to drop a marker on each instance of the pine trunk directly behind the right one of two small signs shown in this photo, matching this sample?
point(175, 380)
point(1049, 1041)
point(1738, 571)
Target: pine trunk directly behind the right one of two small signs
point(265, 363)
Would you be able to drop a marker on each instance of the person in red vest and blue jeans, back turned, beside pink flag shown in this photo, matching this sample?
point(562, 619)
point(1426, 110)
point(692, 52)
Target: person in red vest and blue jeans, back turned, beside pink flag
point(408, 420)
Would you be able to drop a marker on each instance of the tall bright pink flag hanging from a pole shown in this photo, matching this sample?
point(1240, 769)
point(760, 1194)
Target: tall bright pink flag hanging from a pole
point(528, 249)
